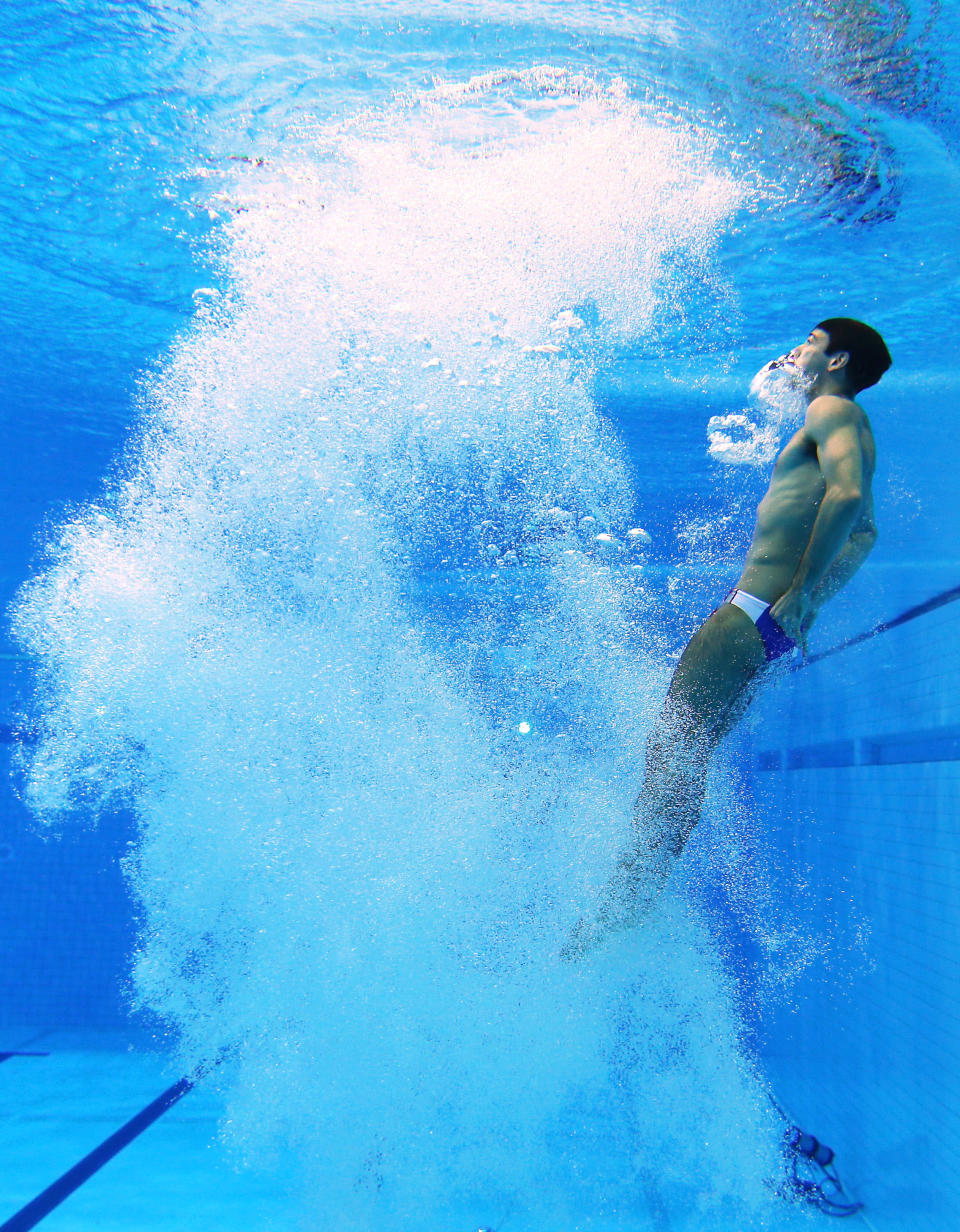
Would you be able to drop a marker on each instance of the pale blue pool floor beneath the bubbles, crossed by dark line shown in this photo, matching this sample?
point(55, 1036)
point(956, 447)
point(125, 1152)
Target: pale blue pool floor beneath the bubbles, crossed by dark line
point(176, 1176)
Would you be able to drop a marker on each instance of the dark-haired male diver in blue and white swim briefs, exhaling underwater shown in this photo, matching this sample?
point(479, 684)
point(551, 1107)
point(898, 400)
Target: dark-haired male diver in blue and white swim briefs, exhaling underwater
point(815, 528)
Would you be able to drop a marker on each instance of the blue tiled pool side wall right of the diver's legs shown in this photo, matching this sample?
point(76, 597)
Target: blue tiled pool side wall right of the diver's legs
point(856, 767)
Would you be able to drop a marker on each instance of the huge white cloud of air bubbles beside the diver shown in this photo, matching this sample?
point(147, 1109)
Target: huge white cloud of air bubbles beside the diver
point(368, 833)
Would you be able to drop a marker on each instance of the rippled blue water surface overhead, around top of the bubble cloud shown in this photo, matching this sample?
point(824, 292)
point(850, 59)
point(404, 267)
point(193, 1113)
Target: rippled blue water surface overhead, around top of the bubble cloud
point(119, 121)
